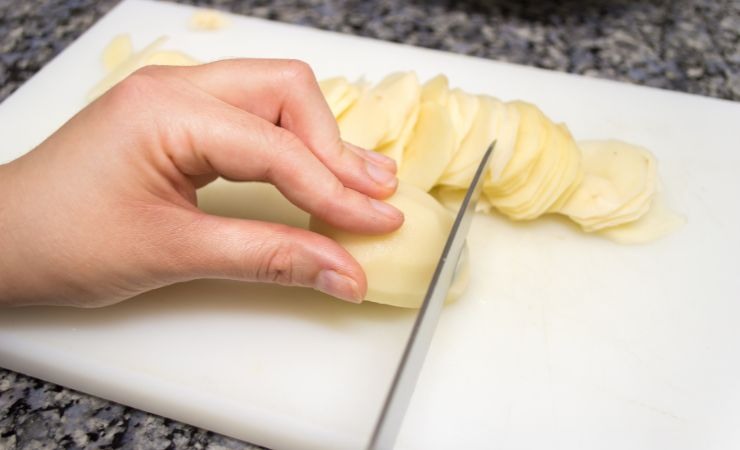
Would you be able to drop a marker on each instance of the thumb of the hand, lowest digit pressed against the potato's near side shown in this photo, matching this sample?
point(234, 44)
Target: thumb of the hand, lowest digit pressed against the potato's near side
point(249, 250)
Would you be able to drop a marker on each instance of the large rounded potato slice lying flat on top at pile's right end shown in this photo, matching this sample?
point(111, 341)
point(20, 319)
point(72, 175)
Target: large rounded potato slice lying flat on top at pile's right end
point(618, 179)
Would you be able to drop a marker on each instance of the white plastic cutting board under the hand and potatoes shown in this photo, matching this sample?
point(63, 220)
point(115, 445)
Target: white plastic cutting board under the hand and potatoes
point(562, 341)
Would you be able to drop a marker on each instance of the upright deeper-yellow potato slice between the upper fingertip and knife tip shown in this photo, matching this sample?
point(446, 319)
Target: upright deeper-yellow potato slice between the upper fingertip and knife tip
point(430, 148)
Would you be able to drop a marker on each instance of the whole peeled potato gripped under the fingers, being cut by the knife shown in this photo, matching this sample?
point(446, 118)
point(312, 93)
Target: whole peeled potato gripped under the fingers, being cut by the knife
point(399, 265)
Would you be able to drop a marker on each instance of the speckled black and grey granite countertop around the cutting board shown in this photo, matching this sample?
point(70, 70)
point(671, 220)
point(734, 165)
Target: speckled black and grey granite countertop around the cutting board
point(685, 45)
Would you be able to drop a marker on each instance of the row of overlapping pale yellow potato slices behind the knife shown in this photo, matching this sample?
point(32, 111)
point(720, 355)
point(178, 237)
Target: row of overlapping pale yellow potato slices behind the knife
point(438, 135)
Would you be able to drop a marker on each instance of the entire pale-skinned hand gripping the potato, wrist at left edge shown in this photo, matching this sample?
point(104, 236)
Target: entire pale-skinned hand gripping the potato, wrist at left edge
point(106, 208)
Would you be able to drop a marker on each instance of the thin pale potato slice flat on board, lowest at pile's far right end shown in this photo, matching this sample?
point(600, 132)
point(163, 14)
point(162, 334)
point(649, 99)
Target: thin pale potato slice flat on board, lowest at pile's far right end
point(656, 223)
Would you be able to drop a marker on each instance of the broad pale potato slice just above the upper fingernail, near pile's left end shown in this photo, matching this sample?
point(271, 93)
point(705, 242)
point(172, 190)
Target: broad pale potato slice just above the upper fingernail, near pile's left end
point(379, 115)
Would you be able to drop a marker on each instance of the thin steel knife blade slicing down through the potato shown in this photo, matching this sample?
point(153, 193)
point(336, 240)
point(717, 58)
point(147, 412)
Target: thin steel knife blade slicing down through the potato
point(404, 380)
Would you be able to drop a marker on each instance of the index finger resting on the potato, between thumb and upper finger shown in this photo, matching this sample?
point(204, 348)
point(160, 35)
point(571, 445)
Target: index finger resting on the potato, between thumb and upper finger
point(208, 136)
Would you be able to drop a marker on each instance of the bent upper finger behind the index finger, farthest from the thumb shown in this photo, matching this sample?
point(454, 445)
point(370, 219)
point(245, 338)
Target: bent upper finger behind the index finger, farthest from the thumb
point(286, 93)
